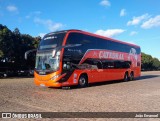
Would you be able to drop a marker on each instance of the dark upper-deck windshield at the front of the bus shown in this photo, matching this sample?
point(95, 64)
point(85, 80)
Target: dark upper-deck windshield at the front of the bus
point(51, 41)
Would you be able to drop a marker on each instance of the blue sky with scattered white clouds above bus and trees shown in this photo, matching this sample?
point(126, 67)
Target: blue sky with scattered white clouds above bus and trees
point(134, 21)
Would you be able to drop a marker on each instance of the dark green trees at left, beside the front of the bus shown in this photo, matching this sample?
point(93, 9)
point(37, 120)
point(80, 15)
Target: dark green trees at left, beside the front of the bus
point(13, 46)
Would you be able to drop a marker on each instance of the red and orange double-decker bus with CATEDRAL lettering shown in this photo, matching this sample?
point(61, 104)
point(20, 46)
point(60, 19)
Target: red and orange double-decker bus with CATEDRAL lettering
point(75, 57)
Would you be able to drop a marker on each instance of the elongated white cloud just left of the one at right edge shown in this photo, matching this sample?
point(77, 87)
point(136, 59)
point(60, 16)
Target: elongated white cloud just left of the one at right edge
point(138, 20)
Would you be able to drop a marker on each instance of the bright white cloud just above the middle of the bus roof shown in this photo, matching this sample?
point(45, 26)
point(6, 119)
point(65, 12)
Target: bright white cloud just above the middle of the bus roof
point(109, 32)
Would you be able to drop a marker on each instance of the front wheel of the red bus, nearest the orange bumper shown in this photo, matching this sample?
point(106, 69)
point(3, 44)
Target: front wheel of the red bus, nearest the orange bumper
point(82, 82)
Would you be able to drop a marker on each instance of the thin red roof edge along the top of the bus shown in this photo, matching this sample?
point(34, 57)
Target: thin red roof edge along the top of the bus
point(92, 34)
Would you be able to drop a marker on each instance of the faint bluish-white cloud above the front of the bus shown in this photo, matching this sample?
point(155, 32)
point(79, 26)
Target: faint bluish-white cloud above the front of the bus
point(49, 24)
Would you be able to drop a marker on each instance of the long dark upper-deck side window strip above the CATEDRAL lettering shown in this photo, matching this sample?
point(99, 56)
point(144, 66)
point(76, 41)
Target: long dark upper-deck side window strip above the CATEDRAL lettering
point(90, 42)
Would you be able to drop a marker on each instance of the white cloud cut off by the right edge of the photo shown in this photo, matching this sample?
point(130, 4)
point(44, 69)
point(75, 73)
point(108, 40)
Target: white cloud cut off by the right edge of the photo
point(152, 22)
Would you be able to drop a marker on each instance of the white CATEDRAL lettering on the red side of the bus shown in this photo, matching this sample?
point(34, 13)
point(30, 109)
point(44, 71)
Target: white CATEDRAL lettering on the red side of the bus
point(111, 55)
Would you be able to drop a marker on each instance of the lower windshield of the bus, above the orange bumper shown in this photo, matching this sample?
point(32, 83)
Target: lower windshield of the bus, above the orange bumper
point(46, 62)
